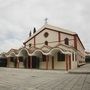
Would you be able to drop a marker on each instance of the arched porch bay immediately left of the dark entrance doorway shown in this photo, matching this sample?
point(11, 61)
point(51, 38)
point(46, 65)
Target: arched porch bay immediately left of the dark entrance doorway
point(22, 58)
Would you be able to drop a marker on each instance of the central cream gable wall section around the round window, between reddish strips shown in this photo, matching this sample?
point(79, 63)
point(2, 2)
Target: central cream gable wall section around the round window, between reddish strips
point(52, 37)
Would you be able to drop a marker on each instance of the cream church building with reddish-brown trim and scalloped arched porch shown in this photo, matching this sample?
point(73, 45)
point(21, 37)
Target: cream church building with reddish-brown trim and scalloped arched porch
point(50, 48)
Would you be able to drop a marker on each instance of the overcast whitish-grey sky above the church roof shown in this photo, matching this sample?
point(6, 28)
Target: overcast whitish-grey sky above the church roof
point(18, 17)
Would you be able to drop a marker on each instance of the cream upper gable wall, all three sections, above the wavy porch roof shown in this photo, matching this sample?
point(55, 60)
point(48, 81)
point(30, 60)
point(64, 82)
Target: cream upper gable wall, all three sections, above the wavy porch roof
point(52, 38)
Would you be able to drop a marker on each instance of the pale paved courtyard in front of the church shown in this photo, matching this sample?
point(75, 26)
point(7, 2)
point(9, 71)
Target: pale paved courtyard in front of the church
point(26, 79)
